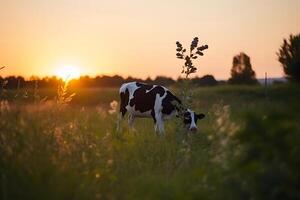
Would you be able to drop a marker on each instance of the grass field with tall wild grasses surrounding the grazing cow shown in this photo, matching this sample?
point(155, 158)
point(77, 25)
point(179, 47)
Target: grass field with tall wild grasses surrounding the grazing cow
point(247, 147)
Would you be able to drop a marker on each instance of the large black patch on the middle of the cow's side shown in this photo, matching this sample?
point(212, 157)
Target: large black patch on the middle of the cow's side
point(143, 100)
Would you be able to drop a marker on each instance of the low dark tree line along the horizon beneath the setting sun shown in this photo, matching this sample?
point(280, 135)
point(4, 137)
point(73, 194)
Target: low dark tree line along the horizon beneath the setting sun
point(15, 82)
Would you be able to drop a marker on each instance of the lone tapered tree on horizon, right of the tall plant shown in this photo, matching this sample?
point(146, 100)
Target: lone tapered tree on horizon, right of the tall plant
point(241, 72)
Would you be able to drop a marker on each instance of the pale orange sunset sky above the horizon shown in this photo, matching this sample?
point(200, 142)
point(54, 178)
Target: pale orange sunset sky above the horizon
point(137, 38)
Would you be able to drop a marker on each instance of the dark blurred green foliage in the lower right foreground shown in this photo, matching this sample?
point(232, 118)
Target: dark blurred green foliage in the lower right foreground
point(268, 158)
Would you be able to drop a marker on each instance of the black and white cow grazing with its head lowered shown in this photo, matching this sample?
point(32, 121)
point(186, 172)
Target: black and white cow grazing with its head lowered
point(141, 100)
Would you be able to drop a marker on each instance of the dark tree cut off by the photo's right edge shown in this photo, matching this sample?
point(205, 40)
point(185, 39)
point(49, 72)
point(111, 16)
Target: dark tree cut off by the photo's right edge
point(289, 57)
